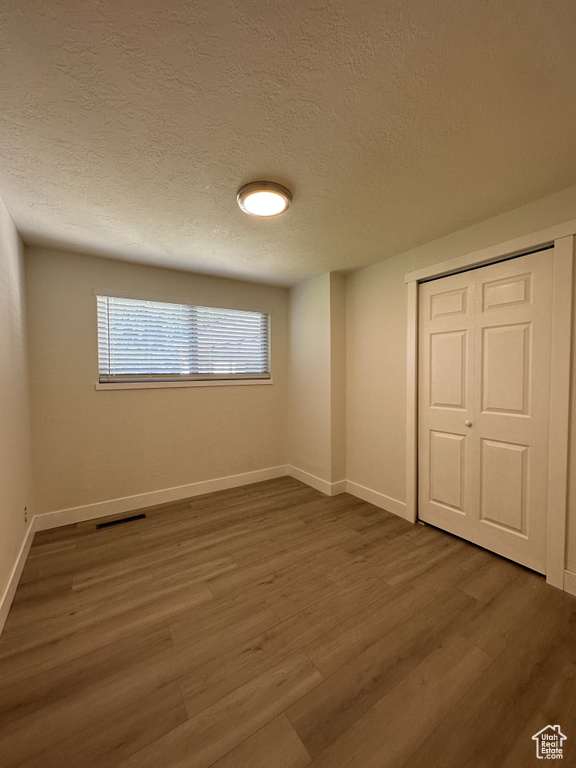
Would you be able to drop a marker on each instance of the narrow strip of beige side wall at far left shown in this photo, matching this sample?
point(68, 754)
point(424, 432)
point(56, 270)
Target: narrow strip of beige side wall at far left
point(15, 464)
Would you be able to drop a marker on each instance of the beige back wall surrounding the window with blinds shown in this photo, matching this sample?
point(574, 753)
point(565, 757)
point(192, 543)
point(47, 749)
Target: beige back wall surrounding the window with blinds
point(91, 446)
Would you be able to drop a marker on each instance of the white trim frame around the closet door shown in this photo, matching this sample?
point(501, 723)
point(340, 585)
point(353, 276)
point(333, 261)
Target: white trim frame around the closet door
point(562, 238)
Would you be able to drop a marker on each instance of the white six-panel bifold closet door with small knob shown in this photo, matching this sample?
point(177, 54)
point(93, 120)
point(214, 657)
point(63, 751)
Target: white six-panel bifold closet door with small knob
point(484, 403)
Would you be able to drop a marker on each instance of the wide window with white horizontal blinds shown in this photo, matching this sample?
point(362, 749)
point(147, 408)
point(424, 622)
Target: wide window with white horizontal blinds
point(147, 341)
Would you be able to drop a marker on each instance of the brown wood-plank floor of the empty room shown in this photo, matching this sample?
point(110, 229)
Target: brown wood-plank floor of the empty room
point(273, 627)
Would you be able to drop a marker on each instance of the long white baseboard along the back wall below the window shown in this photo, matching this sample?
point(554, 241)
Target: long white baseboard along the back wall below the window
point(151, 499)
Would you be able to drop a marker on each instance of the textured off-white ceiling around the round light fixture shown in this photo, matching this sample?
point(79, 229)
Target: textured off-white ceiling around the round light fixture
point(127, 127)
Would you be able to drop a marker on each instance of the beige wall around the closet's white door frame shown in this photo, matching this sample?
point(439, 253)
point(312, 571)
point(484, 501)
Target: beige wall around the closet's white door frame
point(376, 348)
